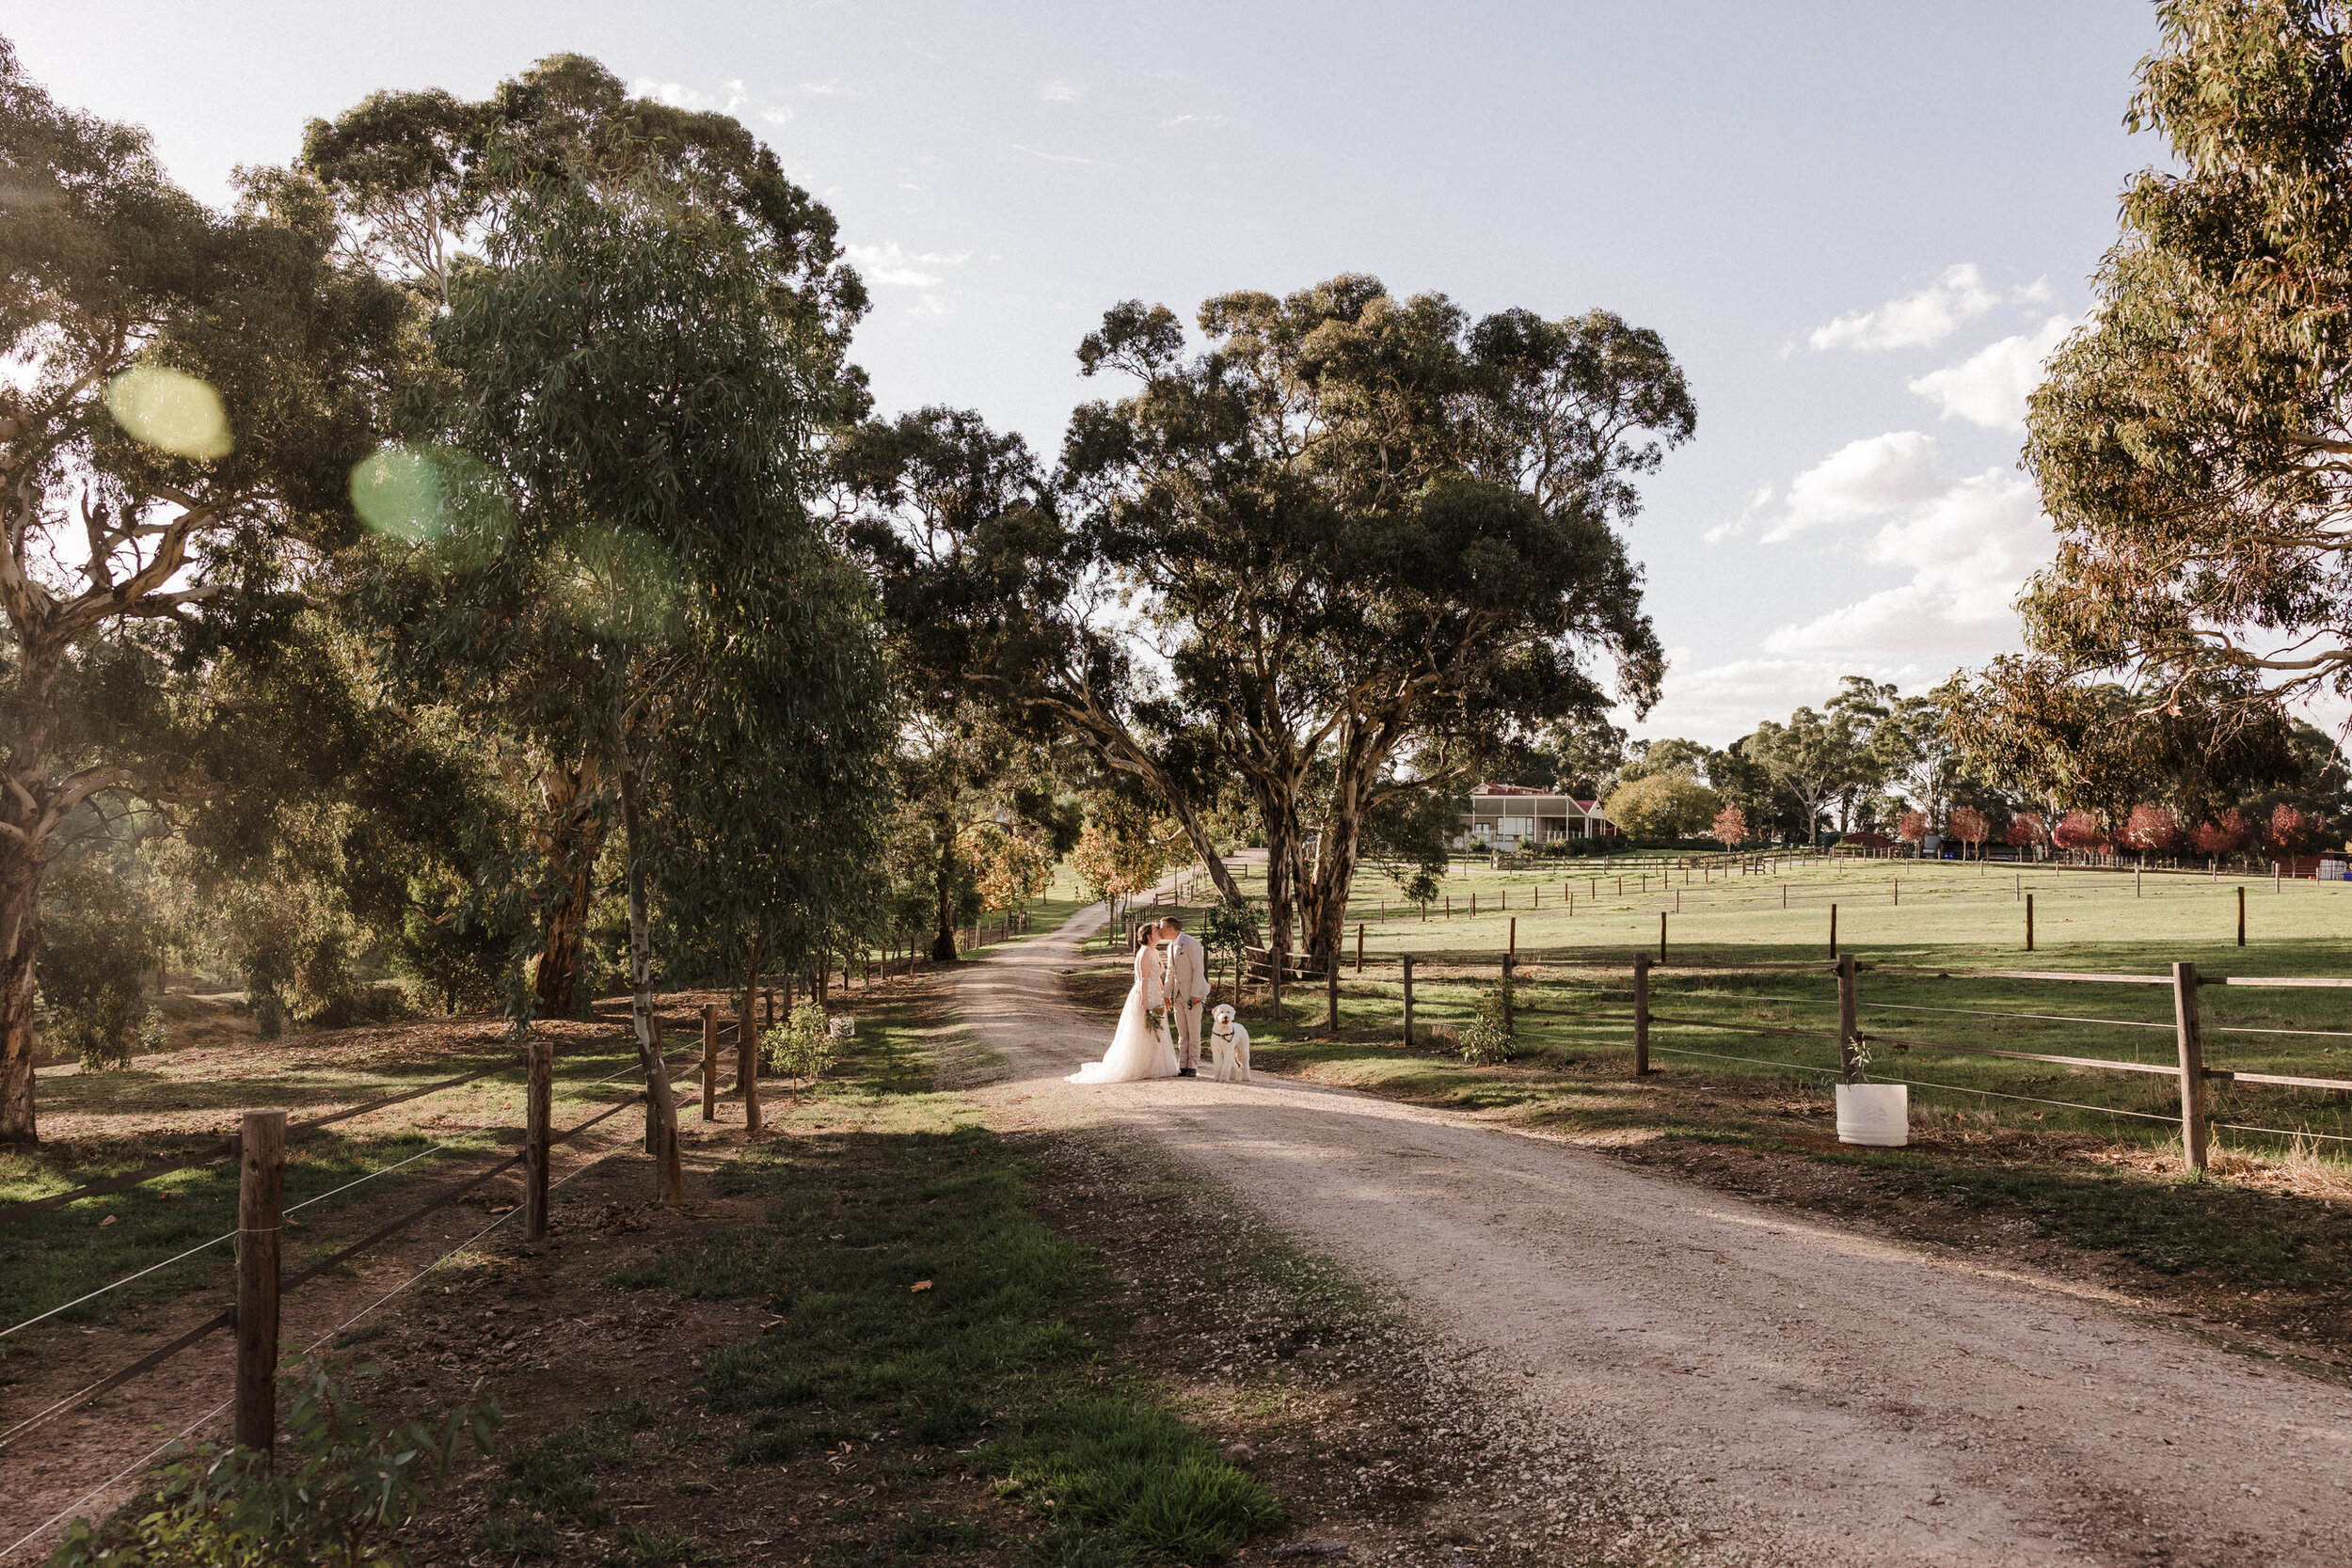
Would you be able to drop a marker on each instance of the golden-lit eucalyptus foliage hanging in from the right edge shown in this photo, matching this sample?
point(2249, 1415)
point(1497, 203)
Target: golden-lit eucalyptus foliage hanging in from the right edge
point(2193, 441)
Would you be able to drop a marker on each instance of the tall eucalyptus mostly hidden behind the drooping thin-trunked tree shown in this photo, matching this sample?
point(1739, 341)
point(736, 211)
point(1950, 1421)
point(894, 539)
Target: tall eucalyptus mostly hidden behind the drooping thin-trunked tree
point(425, 182)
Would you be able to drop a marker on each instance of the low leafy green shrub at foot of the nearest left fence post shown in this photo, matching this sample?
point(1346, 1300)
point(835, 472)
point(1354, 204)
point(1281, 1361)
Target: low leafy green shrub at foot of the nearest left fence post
point(342, 1487)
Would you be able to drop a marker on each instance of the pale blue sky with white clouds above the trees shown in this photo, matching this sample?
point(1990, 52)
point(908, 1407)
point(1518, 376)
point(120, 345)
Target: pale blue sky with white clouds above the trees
point(1857, 227)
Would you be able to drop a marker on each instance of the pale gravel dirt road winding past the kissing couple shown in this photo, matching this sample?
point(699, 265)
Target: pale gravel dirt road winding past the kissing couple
point(1789, 1388)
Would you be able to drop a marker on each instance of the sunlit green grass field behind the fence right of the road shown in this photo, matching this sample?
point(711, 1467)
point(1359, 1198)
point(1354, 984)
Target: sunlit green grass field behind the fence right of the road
point(1577, 937)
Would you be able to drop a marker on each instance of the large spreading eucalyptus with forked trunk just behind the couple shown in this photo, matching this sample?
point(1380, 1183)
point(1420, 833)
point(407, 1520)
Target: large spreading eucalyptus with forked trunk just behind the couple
point(1375, 540)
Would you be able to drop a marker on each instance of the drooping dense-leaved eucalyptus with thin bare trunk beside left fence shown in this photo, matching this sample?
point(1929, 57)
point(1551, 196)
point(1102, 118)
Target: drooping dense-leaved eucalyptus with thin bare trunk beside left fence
point(613, 561)
